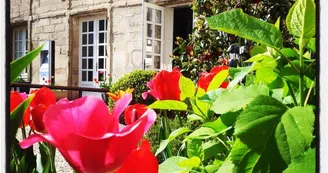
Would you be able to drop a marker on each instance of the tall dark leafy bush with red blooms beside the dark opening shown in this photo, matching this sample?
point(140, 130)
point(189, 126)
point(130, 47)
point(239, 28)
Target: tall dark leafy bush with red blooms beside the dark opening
point(207, 48)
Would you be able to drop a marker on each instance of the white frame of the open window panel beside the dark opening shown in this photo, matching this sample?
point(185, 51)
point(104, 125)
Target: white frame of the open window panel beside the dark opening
point(152, 38)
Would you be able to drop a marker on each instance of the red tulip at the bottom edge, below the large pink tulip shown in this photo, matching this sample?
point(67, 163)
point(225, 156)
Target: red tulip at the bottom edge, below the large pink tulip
point(140, 160)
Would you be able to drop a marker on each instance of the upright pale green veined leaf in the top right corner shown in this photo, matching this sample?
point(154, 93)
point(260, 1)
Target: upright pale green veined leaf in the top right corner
point(301, 19)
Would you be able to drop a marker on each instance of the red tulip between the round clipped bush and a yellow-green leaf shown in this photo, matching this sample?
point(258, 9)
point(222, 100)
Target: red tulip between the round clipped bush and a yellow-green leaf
point(165, 85)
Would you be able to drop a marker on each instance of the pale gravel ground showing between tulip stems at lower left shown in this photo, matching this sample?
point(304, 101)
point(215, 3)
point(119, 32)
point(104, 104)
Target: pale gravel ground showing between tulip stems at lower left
point(61, 165)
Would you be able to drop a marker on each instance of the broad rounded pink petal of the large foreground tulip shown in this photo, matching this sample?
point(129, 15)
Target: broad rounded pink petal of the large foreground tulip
point(78, 117)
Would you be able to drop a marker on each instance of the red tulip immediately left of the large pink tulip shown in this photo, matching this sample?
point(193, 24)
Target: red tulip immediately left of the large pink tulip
point(44, 98)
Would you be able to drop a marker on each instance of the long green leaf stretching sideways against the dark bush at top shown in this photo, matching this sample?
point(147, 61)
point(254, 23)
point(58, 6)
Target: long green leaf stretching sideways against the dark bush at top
point(238, 23)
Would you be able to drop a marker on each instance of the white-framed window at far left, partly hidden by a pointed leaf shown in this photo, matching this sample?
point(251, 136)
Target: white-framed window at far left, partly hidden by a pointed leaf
point(16, 49)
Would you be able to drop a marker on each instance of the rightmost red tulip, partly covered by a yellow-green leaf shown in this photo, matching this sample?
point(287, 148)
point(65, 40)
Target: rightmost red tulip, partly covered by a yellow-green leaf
point(206, 78)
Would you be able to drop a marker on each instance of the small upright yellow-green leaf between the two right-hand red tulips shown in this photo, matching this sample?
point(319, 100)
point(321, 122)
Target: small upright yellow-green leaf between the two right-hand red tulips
point(187, 88)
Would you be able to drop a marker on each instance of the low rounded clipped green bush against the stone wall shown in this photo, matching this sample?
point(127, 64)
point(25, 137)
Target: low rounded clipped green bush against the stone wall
point(138, 81)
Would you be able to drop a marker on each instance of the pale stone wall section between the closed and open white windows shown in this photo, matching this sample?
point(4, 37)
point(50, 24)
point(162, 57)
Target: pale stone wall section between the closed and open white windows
point(126, 40)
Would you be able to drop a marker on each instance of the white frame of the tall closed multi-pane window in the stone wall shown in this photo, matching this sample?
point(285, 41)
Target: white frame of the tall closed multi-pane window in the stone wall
point(95, 45)
